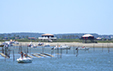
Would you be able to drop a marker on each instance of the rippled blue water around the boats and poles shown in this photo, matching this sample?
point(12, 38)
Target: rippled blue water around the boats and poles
point(85, 61)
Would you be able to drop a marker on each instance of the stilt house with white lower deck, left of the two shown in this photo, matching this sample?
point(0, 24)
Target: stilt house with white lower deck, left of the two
point(47, 37)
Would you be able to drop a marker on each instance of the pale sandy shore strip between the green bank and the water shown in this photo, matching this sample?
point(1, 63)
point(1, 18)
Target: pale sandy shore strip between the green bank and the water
point(76, 44)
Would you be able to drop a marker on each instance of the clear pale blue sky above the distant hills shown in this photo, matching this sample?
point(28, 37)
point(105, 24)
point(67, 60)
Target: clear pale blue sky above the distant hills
point(56, 16)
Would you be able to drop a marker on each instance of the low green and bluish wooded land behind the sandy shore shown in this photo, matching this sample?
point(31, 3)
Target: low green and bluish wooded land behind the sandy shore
point(27, 37)
